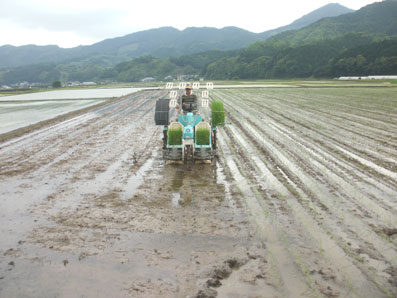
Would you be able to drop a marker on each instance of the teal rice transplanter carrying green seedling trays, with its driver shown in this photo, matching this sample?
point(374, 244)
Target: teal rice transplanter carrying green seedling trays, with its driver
point(189, 132)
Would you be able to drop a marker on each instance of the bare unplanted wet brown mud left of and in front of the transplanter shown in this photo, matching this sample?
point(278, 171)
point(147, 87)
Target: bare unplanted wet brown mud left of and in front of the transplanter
point(90, 209)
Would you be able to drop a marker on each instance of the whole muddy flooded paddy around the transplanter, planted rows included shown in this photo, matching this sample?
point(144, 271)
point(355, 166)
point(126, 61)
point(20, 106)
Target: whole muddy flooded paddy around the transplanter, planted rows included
point(301, 202)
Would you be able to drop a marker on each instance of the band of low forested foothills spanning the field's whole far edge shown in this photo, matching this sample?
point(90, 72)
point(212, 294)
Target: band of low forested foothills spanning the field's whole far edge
point(353, 54)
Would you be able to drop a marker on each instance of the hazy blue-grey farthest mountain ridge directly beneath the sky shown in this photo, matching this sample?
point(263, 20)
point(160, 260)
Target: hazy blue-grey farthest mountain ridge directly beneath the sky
point(160, 42)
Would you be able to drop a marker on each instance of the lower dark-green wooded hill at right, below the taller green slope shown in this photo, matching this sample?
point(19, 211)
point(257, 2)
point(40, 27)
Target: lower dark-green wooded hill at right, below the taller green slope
point(351, 54)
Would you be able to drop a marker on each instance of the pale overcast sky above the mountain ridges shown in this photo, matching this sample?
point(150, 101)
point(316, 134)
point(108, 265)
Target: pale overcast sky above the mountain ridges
point(70, 23)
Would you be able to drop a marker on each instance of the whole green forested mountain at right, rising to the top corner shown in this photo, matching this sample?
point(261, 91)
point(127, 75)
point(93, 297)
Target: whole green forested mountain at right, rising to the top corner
point(359, 43)
